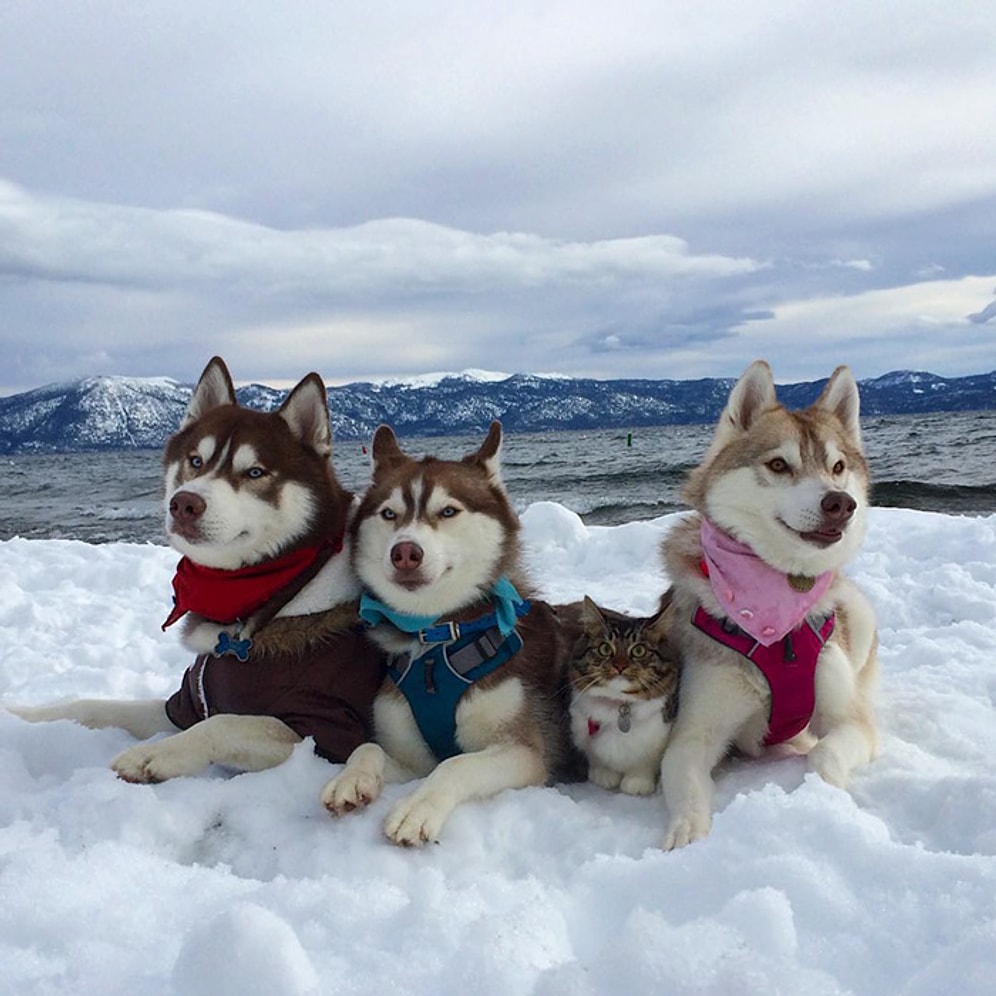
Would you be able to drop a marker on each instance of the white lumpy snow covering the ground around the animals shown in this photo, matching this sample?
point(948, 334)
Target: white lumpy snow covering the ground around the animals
point(241, 884)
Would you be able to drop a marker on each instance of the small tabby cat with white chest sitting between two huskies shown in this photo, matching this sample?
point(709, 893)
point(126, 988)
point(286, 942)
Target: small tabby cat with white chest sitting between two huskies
point(624, 697)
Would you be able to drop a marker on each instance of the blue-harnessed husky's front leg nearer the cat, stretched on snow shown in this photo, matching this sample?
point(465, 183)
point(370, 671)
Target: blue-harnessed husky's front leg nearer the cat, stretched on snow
point(418, 818)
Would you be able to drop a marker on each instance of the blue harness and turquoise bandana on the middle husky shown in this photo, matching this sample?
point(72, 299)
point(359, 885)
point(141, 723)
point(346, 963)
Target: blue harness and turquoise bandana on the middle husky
point(456, 656)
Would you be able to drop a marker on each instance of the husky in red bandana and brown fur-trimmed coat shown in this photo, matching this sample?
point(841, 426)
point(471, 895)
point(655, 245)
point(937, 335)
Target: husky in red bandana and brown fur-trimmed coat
point(268, 594)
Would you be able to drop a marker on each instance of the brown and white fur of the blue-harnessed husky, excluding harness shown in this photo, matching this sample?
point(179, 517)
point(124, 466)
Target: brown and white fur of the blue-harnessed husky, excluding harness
point(430, 538)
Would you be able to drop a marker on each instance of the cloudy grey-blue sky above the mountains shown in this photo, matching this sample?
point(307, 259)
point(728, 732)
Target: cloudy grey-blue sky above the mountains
point(640, 189)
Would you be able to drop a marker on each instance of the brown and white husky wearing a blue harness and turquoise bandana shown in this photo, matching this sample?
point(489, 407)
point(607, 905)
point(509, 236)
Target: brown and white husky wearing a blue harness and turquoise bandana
point(475, 693)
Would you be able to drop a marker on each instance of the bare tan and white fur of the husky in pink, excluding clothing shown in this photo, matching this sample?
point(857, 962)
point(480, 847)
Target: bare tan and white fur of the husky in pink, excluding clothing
point(793, 487)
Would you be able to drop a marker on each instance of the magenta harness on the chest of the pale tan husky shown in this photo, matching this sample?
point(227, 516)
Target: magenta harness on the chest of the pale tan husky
point(789, 667)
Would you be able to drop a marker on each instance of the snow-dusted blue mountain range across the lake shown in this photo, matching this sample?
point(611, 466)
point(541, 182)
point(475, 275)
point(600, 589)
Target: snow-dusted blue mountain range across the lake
point(113, 413)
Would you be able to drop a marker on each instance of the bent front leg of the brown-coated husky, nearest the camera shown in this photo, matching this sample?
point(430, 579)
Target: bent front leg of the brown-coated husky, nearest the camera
point(248, 743)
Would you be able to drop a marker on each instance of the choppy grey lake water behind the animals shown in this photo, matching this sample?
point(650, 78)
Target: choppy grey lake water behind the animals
point(942, 462)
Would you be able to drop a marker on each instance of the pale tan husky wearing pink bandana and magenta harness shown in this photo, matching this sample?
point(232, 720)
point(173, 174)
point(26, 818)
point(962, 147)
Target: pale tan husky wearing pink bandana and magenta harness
point(776, 645)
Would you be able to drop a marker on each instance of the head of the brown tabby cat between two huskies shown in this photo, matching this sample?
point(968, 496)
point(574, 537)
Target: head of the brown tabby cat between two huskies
point(621, 655)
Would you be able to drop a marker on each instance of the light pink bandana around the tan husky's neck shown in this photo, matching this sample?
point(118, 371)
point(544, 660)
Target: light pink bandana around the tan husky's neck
point(764, 602)
